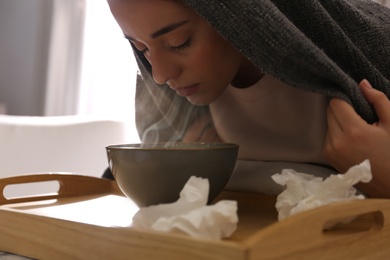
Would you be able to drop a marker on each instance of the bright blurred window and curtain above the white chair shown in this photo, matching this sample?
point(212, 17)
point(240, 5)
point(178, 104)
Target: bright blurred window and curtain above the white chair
point(64, 57)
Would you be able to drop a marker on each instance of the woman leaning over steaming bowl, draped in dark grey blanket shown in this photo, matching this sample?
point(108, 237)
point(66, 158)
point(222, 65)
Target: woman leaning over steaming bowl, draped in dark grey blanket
point(281, 81)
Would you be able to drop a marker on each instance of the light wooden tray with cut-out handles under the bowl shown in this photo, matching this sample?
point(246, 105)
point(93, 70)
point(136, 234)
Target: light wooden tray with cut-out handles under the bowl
point(88, 218)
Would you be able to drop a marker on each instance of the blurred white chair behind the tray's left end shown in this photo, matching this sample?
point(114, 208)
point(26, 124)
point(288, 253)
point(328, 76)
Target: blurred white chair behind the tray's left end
point(74, 144)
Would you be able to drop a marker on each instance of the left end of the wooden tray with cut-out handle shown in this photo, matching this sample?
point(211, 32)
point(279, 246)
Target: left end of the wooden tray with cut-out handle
point(70, 185)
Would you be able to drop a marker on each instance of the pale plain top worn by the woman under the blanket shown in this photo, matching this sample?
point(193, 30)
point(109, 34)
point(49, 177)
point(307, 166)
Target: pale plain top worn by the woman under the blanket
point(277, 127)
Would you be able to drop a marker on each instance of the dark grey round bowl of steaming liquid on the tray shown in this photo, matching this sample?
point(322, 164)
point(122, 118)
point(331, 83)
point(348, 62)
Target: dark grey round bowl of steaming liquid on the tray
point(155, 173)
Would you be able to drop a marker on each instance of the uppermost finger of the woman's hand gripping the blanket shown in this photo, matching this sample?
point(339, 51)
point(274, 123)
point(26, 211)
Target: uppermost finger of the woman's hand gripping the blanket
point(378, 100)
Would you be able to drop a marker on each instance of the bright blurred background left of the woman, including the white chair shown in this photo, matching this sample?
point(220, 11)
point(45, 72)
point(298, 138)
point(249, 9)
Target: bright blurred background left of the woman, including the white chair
point(67, 81)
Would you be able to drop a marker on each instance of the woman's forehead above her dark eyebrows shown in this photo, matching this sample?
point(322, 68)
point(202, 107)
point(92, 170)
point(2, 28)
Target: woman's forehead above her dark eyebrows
point(140, 17)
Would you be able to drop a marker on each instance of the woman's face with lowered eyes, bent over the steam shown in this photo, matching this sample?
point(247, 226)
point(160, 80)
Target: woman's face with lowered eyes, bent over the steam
point(183, 50)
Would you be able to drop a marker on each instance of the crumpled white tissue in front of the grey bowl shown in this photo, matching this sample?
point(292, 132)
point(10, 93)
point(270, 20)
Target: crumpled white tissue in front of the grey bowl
point(190, 214)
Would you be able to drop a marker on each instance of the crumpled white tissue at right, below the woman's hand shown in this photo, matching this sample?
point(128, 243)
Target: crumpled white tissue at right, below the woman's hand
point(304, 191)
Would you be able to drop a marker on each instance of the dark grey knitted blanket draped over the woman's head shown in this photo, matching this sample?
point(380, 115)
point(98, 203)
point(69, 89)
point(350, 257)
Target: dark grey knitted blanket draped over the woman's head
point(324, 46)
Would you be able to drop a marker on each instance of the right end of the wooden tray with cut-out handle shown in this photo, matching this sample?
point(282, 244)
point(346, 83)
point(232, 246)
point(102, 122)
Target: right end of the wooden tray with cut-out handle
point(308, 229)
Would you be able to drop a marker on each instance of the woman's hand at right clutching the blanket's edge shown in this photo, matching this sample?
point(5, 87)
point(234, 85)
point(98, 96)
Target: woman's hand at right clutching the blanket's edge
point(350, 139)
